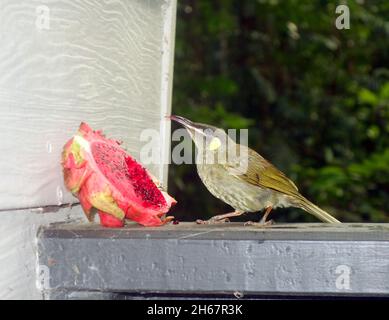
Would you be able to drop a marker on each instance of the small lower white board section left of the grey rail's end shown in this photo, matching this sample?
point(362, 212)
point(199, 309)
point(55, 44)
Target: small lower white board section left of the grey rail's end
point(18, 250)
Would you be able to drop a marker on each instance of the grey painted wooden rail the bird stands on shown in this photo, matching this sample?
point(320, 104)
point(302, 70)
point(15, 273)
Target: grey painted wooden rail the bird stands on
point(227, 260)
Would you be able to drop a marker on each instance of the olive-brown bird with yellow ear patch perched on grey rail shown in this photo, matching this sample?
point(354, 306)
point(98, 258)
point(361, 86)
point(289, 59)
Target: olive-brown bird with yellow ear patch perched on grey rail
point(242, 178)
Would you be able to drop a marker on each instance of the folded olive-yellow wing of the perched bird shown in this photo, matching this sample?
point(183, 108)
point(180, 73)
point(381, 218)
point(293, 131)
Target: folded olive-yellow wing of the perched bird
point(262, 173)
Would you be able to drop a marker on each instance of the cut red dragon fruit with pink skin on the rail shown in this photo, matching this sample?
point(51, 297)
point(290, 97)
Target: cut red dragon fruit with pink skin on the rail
point(103, 176)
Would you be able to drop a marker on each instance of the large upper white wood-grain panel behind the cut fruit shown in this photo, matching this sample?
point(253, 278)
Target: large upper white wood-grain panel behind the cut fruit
point(105, 62)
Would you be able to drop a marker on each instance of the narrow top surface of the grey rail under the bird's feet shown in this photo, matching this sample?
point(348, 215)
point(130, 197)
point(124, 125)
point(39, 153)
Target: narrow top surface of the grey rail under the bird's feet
point(230, 231)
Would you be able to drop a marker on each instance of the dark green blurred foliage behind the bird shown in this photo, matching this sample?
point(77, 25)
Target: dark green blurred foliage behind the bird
point(314, 98)
